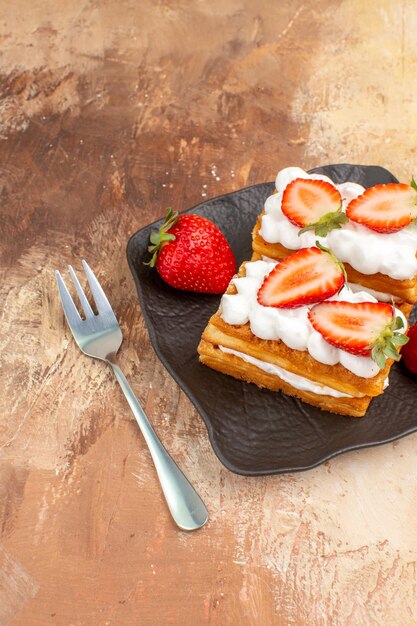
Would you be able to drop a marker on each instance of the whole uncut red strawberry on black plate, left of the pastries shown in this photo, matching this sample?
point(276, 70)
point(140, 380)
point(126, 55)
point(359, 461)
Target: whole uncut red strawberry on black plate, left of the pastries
point(192, 254)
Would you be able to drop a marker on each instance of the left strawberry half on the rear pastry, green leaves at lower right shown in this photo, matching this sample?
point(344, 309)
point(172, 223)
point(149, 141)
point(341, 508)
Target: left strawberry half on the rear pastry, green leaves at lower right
point(314, 205)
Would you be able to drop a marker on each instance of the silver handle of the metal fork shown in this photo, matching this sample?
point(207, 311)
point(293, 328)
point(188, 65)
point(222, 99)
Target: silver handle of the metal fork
point(184, 503)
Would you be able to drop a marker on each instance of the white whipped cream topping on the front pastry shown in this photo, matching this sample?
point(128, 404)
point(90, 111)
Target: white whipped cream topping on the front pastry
point(292, 326)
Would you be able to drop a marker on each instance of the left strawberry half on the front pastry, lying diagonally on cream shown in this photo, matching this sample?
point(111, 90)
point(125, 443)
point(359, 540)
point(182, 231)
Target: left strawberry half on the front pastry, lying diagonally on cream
point(305, 277)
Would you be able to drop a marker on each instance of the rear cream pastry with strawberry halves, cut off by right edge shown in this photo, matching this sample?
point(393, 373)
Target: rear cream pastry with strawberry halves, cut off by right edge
point(373, 232)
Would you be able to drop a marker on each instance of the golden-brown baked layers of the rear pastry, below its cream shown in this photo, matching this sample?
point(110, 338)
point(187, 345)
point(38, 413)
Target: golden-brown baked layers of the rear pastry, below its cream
point(406, 290)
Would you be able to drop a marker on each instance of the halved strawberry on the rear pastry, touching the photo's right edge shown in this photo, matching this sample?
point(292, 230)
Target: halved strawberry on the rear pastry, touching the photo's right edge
point(385, 208)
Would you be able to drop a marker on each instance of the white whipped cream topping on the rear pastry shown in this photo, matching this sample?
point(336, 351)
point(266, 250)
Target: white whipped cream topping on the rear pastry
point(369, 252)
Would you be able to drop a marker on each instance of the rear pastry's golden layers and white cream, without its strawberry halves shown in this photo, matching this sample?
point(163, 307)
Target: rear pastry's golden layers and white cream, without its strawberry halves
point(382, 262)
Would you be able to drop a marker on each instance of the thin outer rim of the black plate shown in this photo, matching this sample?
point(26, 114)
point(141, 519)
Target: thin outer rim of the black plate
point(210, 430)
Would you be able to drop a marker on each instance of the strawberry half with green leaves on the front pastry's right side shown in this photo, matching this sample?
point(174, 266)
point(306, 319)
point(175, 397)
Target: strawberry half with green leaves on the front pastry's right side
point(363, 328)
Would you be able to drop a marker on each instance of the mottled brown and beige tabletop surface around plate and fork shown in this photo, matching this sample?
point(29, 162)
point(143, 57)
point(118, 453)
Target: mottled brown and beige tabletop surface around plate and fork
point(110, 112)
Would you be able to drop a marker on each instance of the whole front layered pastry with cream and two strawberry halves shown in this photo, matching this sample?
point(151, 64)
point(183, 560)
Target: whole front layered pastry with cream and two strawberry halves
point(296, 327)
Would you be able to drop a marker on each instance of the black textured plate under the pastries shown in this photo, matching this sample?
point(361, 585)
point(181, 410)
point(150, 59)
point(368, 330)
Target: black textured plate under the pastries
point(256, 431)
